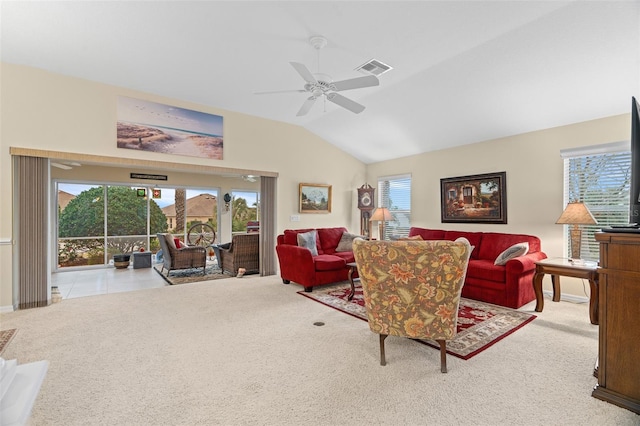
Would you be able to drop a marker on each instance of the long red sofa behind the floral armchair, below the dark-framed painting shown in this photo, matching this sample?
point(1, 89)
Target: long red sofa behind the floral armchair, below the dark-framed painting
point(510, 285)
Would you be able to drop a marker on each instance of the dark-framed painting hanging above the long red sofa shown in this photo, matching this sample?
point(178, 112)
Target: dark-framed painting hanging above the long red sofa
point(474, 199)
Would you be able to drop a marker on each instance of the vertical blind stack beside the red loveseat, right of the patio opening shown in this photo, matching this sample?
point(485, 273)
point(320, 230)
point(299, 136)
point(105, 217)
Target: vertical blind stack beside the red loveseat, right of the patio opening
point(267, 226)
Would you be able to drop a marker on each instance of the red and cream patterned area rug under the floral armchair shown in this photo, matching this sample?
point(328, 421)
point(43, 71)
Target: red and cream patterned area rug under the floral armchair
point(480, 325)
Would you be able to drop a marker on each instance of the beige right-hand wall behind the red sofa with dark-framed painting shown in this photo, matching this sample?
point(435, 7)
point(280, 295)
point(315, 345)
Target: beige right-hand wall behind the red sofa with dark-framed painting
point(535, 178)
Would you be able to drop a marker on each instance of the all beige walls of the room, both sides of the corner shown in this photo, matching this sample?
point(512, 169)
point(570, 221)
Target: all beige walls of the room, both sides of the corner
point(46, 111)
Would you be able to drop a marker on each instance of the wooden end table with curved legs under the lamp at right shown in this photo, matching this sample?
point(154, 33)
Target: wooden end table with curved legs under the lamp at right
point(558, 267)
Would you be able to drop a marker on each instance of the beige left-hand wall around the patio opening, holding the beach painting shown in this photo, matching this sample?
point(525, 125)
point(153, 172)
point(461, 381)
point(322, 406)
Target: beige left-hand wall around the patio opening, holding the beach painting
point(42, 110)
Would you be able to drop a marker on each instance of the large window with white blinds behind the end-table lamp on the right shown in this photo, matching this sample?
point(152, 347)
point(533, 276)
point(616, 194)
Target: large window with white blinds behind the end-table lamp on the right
point(600, 177)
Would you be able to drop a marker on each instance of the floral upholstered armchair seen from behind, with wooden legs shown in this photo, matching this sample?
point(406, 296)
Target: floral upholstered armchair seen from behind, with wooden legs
point(412, 288)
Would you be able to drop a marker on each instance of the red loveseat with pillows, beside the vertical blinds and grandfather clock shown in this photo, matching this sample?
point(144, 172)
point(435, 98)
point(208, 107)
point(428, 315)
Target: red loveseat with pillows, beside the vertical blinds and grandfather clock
point(298, 265)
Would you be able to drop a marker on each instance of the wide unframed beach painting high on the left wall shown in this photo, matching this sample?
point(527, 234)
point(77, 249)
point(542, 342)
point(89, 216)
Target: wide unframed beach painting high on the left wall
point(150, 126)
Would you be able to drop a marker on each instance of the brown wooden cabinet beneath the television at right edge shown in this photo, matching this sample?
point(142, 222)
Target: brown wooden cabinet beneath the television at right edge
point(619, 315)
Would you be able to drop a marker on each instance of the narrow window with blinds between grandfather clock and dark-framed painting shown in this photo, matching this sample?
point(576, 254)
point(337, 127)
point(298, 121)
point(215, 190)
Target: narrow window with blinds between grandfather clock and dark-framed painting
point(394, 193)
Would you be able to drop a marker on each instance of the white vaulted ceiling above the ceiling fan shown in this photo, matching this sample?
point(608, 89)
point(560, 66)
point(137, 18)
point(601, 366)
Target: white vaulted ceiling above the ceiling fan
point(463, 71)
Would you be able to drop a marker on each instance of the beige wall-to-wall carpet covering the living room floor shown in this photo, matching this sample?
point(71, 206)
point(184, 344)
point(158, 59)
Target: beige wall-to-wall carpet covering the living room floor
point(246, 351)
